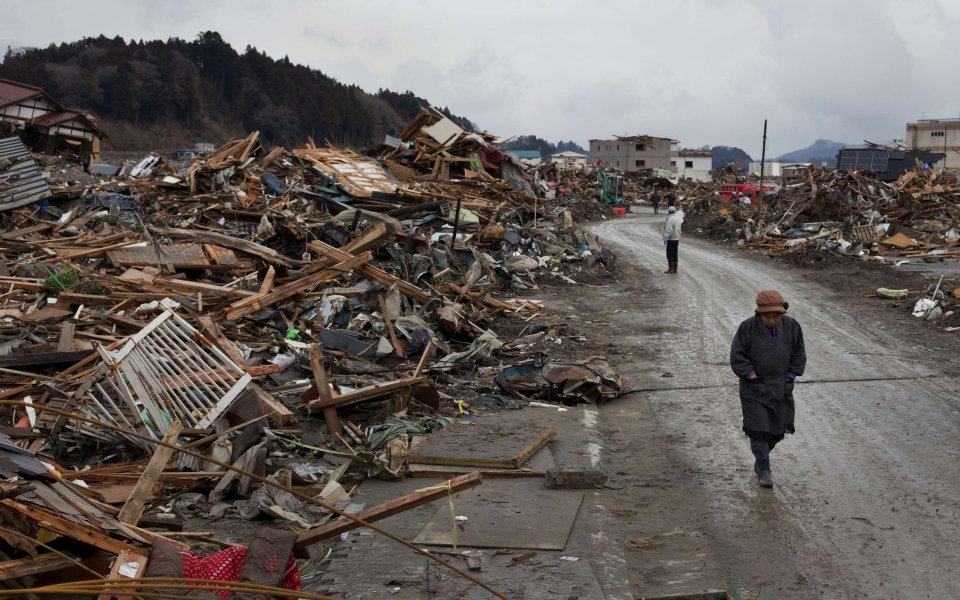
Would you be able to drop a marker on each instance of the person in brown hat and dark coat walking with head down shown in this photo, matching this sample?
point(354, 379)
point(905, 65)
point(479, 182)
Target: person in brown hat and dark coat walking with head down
point(767, 354)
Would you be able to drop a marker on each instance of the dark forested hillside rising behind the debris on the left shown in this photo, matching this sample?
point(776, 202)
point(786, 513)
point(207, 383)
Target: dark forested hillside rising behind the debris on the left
point(160, 94)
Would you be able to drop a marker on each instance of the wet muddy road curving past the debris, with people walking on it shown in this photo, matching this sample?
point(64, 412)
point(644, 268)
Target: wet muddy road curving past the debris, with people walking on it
point(867, 493)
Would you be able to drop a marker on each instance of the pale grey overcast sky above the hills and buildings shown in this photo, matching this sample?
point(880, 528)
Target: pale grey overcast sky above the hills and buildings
point(705, 72)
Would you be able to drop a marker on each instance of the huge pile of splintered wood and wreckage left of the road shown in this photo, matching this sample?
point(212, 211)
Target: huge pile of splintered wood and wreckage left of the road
point(167, 334)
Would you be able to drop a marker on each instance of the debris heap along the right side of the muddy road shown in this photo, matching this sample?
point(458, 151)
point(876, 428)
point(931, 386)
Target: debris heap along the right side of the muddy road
point(847, 214)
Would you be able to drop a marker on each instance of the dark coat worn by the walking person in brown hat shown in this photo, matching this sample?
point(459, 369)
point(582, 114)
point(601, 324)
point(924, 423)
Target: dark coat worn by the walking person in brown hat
point(767, 402)
